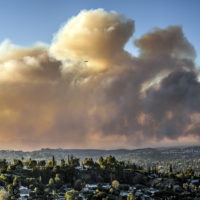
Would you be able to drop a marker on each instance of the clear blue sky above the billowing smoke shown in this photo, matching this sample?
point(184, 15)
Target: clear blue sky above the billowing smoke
point(25, 22)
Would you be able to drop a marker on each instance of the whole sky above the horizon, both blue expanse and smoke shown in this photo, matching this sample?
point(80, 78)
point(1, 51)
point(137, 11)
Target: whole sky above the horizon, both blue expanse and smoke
point(99, 74)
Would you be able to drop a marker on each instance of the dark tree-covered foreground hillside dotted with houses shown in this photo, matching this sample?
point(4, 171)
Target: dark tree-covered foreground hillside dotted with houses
point(104, 179)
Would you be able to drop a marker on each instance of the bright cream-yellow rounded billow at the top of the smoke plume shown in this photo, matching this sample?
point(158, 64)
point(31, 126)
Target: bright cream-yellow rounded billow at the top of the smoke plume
point(94, 36)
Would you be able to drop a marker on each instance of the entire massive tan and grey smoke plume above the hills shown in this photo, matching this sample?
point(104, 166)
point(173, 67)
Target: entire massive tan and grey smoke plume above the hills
point(86, 91)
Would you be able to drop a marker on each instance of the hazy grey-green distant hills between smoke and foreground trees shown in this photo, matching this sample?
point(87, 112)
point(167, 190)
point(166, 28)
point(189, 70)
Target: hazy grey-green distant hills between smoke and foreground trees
point(181, 158)
